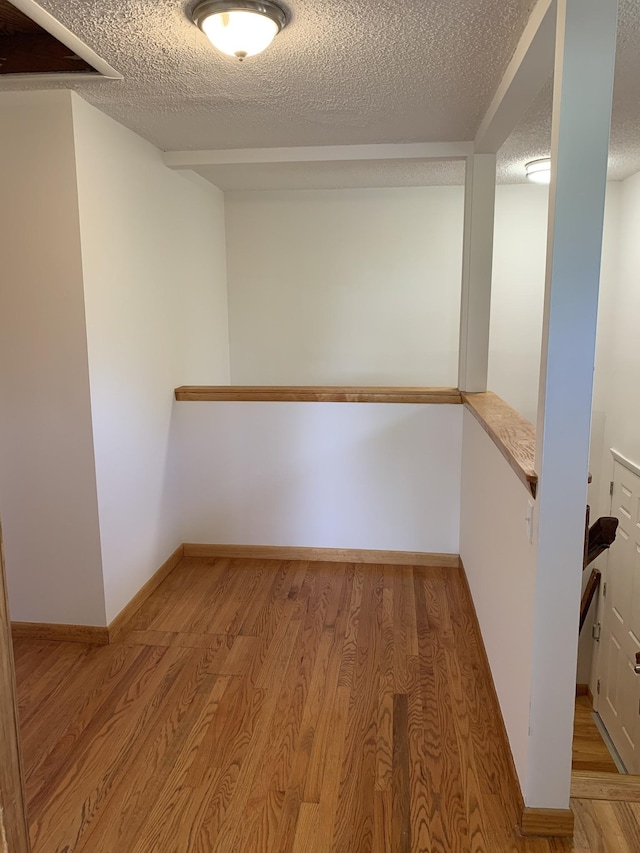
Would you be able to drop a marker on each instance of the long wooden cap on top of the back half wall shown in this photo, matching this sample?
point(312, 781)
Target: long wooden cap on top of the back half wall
point(318, 394)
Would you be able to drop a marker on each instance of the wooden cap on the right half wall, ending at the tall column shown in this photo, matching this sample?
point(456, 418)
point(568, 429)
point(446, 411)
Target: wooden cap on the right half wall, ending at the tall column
point(512, 434)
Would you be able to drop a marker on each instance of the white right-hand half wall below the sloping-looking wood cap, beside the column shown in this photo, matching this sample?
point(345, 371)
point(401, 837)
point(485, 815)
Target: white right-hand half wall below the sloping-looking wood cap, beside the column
point(500, 565)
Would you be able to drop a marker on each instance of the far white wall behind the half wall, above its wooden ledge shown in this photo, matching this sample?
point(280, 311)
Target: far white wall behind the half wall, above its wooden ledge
point(345, 286)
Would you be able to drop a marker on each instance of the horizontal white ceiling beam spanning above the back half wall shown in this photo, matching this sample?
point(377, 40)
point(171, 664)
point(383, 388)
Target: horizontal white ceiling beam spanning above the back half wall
point(319, 154)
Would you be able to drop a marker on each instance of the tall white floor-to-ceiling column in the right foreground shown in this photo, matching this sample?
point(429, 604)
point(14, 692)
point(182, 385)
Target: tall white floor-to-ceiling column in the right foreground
point(583, 83)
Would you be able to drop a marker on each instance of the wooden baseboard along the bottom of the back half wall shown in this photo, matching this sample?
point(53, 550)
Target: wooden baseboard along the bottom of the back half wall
point(334, 555)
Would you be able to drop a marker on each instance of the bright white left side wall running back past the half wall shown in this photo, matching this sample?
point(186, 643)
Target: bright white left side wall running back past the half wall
point(155, 292)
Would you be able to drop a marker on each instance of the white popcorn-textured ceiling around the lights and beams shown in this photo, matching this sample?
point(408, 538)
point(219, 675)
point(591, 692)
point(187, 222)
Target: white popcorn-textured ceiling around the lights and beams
point(342, 72)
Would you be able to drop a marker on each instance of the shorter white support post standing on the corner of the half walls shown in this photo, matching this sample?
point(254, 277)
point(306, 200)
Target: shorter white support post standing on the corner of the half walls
point(477, 258)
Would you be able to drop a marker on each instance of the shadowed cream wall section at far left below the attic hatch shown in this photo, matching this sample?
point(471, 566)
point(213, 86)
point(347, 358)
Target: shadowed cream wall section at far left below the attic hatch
point(48, 498)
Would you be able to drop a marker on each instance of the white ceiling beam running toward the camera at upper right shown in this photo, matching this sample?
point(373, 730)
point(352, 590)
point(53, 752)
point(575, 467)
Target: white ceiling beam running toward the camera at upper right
point(530, 68)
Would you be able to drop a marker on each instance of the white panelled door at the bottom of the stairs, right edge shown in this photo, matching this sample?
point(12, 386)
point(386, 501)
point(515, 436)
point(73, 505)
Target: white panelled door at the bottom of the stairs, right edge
point(619, 686)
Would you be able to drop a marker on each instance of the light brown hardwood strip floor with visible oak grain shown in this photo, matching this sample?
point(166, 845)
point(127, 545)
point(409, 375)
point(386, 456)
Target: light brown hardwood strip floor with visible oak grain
point(281, 706)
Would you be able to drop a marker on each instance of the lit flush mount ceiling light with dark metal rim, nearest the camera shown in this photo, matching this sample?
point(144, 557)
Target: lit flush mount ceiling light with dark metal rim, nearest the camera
point(239, 28)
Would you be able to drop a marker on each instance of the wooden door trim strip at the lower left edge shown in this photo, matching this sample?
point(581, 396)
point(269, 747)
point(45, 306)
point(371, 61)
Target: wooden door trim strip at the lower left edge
point(14, 834)
